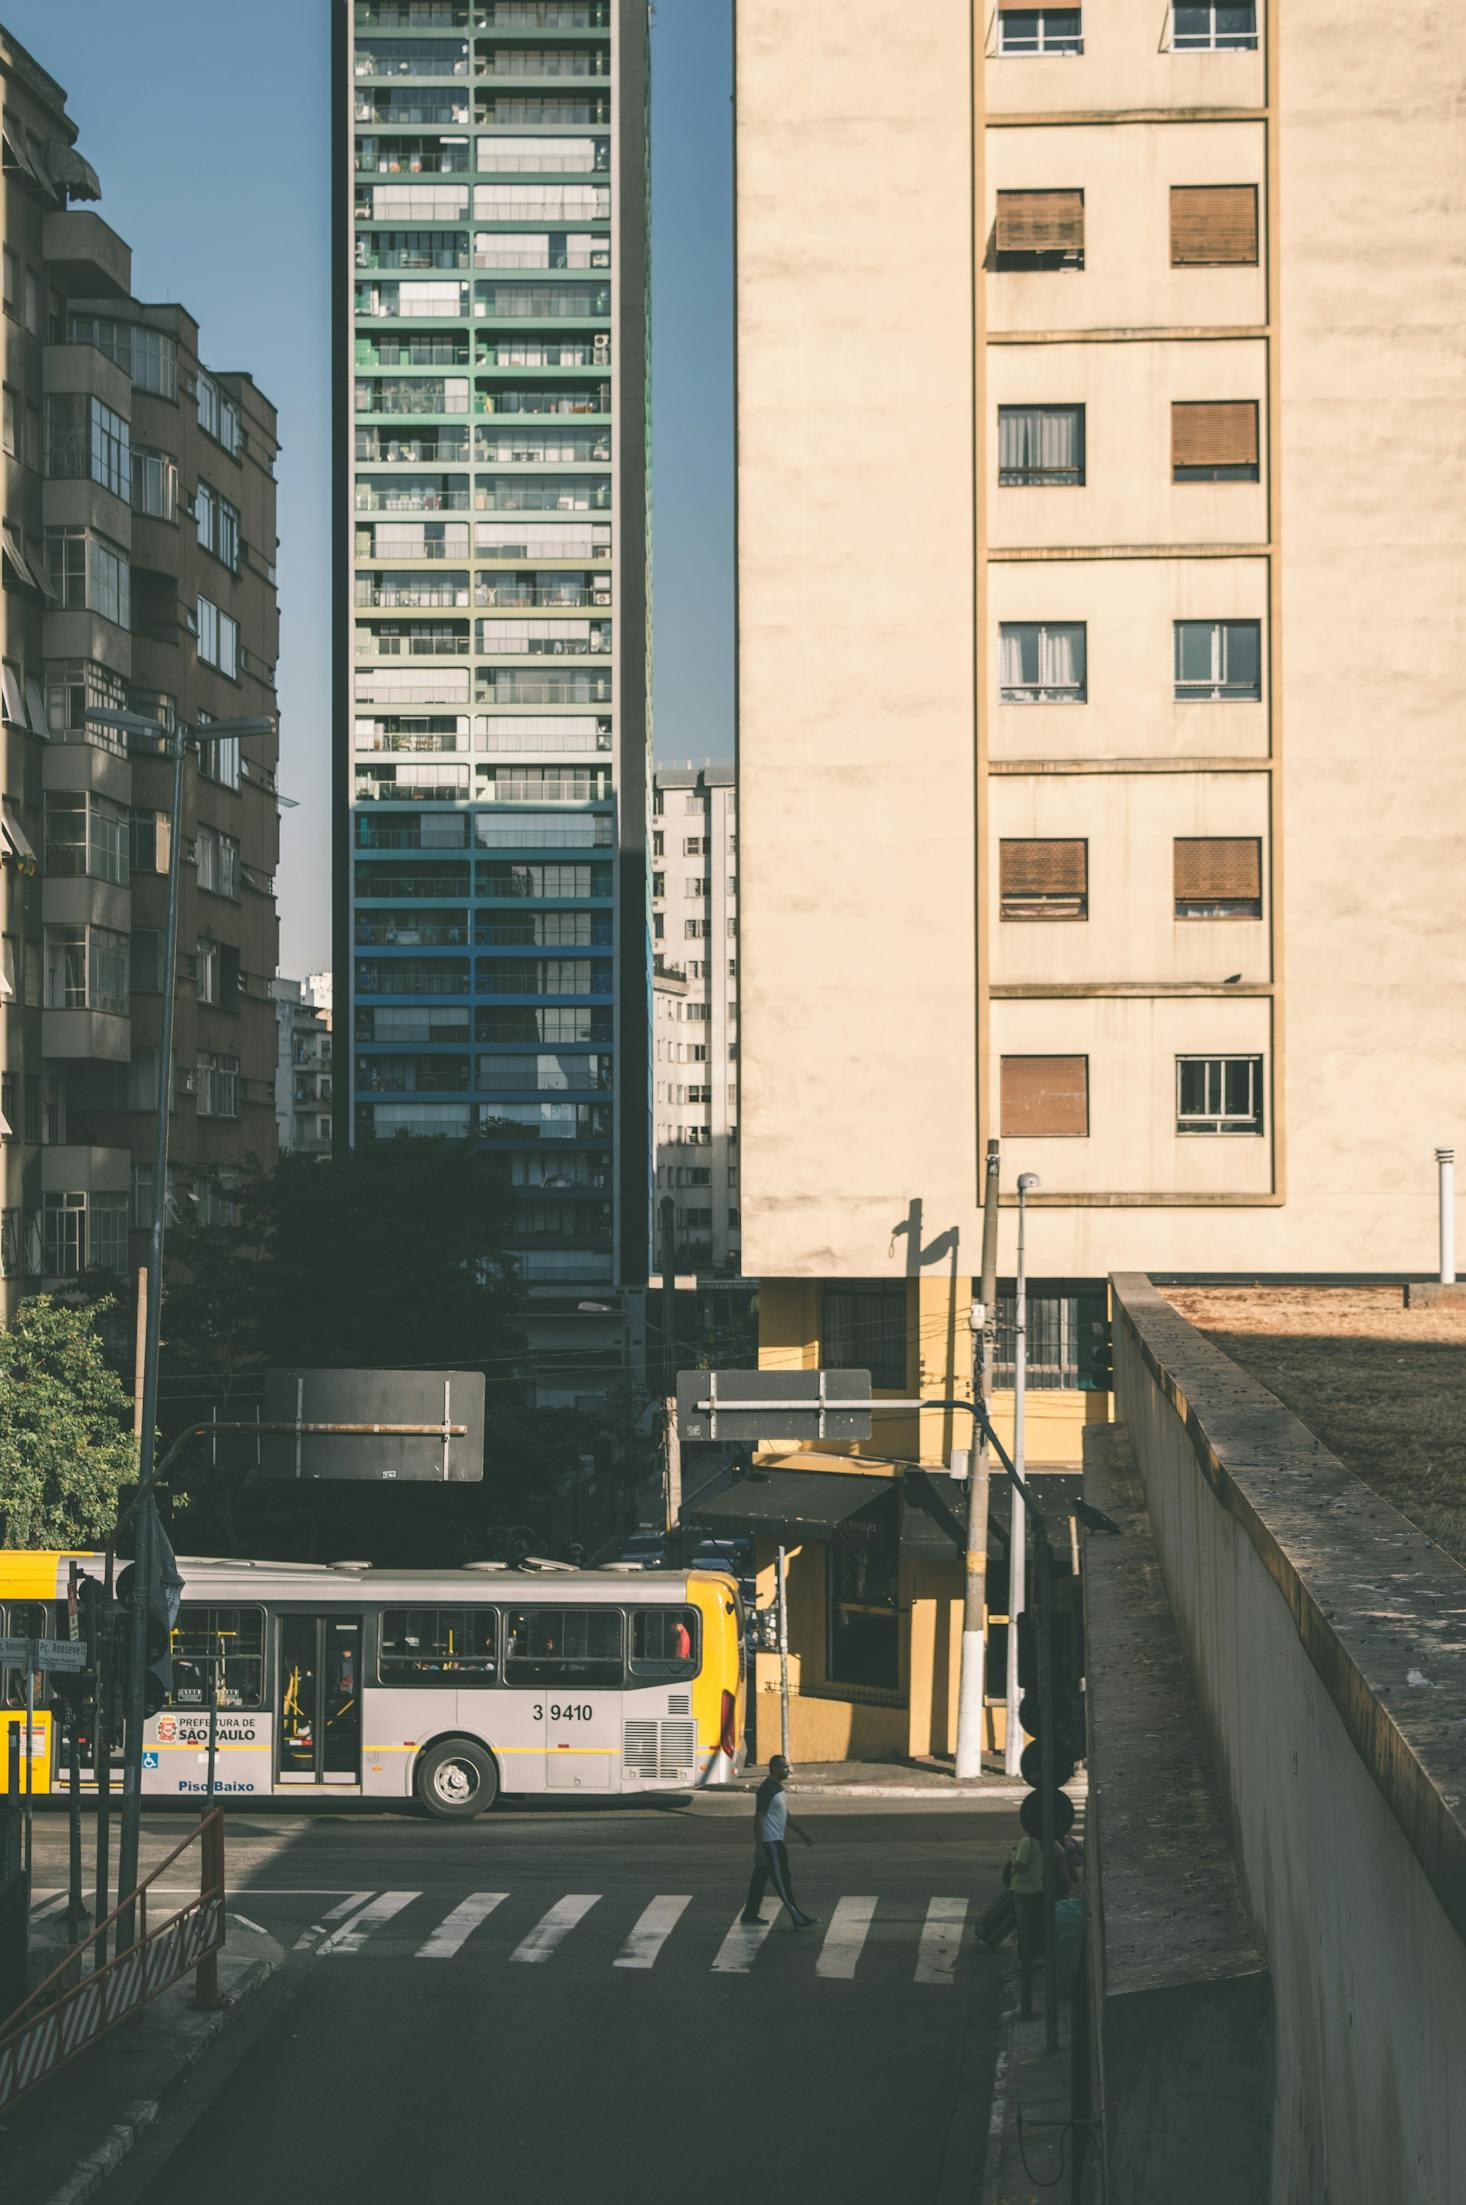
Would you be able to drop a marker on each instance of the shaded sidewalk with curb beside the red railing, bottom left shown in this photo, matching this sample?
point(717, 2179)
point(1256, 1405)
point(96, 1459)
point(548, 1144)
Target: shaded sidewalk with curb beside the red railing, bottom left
point(63, 2142)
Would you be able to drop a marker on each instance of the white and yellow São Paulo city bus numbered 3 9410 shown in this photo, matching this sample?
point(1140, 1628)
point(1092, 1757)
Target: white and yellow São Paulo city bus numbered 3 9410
point(435, 1686)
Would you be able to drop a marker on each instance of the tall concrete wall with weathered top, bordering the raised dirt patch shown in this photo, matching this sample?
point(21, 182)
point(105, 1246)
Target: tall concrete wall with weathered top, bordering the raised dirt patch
point(1326, 1642)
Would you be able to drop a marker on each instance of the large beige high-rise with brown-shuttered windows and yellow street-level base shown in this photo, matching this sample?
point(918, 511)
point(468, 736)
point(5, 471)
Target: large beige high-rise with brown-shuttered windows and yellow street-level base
point(1110, 795)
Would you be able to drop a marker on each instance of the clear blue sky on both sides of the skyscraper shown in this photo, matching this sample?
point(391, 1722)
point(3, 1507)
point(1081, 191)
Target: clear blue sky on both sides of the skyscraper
point(208, 127)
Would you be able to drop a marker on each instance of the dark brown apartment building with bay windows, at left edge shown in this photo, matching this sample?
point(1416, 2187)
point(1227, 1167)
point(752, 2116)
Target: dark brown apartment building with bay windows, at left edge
point(140, 574)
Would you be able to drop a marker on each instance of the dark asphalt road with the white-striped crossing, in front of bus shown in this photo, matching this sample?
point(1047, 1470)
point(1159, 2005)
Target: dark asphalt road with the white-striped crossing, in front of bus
point(550, 2005)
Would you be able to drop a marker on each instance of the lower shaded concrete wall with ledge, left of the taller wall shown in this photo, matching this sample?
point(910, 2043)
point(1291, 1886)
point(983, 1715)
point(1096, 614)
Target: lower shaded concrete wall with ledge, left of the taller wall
point(1183, 2003)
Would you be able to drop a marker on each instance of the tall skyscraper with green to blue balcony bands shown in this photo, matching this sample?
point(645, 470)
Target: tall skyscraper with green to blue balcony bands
point(493, 605)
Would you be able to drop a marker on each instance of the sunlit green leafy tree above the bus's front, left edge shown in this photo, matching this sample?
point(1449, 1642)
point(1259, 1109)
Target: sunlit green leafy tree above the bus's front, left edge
point(65, 1428)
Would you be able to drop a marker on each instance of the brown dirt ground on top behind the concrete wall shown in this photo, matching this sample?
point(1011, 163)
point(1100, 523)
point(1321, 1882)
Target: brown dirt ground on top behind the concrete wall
point(1383, 1386)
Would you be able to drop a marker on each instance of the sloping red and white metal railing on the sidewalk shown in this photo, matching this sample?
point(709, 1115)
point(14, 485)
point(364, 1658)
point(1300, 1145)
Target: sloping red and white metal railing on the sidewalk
point(76, 2005)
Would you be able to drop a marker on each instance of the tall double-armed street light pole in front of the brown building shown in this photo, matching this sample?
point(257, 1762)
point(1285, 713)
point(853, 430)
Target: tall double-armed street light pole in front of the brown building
point(175, 744)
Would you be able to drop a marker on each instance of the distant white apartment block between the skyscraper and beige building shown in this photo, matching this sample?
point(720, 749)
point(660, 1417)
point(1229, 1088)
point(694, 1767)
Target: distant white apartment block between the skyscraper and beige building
point(696, 1018)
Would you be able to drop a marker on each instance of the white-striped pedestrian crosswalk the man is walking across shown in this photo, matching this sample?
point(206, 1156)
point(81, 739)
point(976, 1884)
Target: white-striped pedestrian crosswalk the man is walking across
point(925, 1939)
